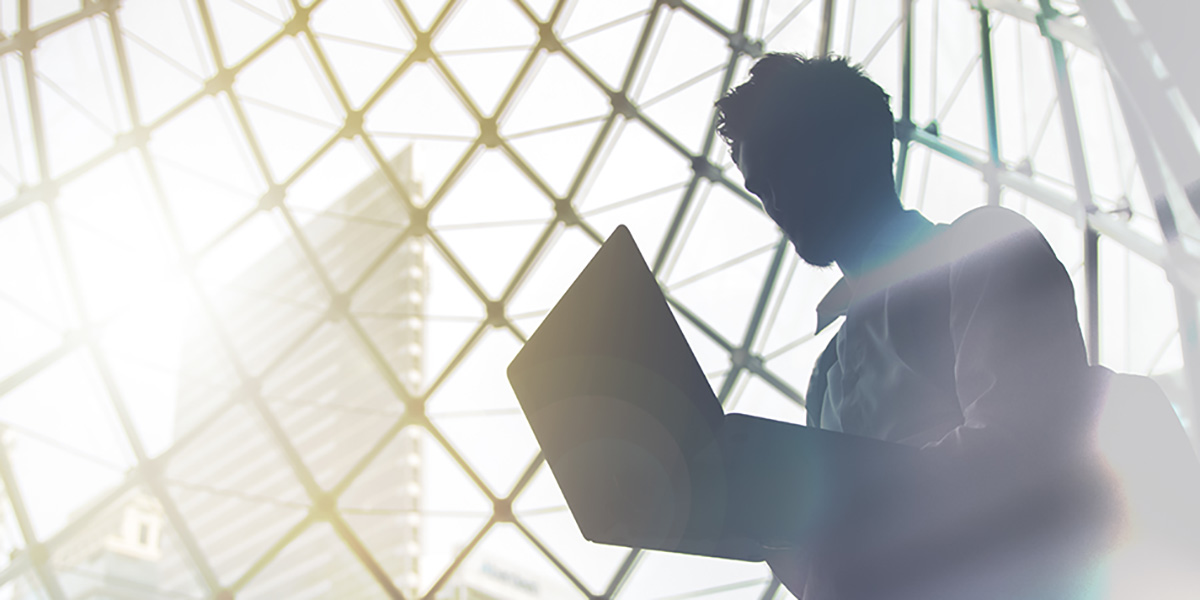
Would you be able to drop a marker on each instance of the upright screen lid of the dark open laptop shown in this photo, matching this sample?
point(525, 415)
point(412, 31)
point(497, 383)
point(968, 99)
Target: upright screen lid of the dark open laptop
point(622, 410)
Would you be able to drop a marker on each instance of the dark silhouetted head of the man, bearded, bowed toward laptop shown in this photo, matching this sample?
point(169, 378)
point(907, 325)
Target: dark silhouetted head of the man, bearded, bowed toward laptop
point(813, 139)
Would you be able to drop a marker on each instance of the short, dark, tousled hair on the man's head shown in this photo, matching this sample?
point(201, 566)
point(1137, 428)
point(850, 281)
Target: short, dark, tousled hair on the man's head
point(826, 105)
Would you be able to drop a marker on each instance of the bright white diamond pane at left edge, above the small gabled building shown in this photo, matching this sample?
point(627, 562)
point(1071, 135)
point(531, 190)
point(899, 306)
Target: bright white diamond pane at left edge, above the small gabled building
point(63, 464)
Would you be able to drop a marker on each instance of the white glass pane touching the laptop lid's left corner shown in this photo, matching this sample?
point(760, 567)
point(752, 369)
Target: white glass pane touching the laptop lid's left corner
point(479, 415)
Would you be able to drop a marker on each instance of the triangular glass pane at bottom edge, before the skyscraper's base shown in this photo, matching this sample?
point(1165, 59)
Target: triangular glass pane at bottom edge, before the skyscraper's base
point(316, 561)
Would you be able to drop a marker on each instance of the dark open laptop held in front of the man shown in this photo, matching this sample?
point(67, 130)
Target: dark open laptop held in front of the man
point(640, 446)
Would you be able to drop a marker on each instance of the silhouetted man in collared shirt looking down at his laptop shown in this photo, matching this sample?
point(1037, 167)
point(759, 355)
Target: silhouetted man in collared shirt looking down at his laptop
point(962, 340)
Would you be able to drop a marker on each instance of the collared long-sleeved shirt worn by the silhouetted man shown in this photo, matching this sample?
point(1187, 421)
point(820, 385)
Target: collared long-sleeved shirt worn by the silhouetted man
point(965, 343)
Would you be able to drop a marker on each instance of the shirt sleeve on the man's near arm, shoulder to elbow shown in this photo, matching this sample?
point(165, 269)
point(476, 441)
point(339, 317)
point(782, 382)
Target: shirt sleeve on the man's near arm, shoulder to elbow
point(1021, 367)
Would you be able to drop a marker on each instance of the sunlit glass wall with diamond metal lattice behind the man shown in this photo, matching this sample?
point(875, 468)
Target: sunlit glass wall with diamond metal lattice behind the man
point(263, 265)
